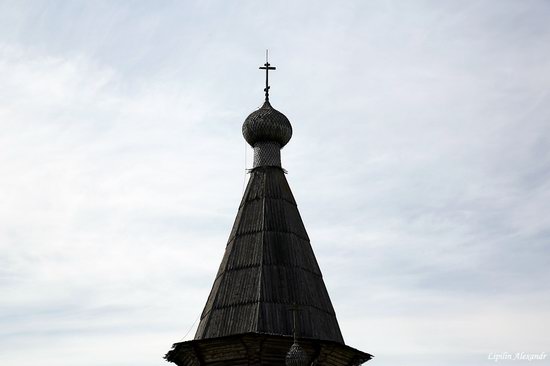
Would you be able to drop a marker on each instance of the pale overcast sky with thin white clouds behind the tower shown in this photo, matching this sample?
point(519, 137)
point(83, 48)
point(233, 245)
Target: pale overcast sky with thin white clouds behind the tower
point(420, 162)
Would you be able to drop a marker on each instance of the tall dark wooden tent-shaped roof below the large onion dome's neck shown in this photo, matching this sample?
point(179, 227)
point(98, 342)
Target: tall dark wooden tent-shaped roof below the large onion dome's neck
point(268, 266)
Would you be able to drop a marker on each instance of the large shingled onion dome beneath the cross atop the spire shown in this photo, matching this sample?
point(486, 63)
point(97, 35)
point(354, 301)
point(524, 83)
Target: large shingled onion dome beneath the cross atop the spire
point(267, 125)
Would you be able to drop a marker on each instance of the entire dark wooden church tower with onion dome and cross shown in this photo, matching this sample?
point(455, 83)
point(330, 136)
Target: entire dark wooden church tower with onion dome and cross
point(269, 304)
